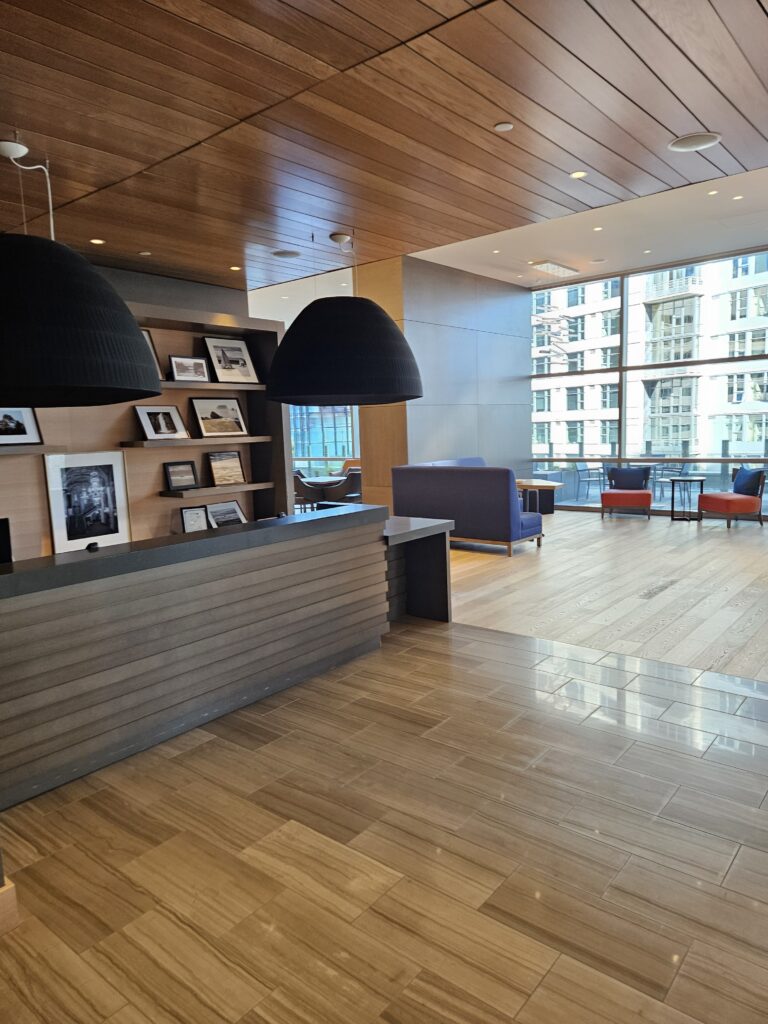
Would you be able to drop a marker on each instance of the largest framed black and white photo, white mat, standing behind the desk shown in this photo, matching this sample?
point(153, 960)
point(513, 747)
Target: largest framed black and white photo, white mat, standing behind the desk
point(89, 500)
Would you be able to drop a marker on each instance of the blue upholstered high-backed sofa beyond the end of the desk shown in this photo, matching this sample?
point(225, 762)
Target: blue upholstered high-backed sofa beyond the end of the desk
point(482, 500)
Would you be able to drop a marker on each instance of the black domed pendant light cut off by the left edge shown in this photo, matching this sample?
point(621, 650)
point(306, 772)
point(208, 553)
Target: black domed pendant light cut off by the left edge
point(67, 338)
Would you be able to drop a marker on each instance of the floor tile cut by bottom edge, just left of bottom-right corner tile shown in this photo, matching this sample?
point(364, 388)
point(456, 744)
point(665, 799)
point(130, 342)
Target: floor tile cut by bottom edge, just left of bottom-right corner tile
point(575, 994)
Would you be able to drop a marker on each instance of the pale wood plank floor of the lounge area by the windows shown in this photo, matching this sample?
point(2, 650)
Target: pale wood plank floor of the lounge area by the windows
point(685, 593)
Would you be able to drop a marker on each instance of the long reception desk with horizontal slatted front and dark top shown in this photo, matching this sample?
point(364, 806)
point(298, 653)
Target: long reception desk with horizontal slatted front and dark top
point(106, 654)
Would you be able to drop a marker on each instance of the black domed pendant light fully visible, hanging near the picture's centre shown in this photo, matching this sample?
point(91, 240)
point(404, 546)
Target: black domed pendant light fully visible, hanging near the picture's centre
point(344, 352)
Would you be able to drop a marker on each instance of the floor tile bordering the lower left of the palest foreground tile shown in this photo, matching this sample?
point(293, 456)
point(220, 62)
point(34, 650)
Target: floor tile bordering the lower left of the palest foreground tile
point(211, 888)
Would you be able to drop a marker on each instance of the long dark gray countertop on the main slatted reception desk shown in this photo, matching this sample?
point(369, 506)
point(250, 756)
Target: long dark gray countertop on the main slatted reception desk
point(36, 575)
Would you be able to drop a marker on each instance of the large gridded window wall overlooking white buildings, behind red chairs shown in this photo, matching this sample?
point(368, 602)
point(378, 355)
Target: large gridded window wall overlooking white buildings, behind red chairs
point(668, 365)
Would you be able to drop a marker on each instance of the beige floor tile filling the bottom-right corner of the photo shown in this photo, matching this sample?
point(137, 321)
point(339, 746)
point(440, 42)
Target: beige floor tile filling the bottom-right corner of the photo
point(717, 988)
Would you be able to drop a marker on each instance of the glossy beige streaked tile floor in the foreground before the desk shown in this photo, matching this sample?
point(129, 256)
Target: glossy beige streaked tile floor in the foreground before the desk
point(466, 828)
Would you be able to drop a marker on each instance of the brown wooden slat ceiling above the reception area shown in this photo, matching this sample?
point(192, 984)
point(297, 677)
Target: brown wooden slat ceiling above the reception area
point(214, 133)
